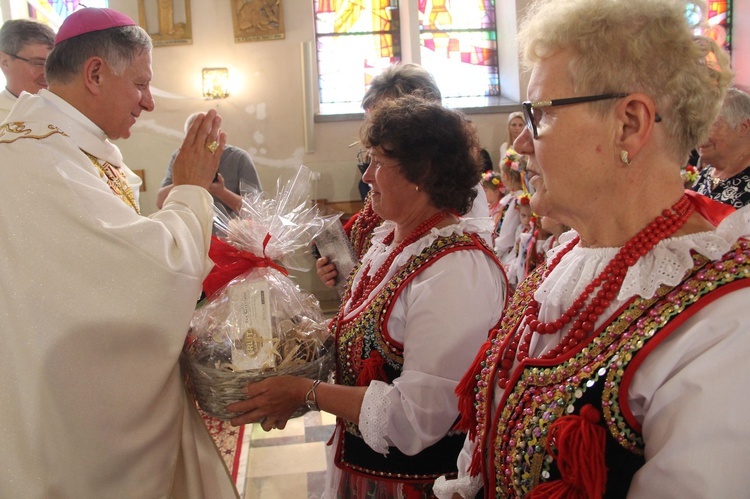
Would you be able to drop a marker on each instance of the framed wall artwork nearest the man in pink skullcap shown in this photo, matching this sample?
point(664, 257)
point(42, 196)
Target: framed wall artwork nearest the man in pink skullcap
point(167, 21)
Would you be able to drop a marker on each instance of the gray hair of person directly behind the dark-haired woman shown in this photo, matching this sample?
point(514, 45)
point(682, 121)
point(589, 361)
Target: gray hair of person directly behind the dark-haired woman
point(400, 80)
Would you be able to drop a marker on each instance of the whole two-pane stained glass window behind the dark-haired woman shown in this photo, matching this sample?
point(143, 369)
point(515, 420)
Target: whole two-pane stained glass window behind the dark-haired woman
point(356, 39)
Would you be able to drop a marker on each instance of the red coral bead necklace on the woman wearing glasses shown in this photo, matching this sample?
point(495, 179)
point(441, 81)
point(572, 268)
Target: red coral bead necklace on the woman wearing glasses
point(584, 313)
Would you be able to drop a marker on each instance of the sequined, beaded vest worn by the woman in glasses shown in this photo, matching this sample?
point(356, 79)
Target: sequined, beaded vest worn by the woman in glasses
point(596, 374)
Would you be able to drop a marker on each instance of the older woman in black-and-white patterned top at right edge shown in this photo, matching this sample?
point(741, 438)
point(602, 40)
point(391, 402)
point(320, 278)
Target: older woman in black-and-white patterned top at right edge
point(725, 156)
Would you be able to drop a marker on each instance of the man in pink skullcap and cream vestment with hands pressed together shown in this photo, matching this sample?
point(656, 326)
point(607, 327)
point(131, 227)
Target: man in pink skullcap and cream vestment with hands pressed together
point(97, 299)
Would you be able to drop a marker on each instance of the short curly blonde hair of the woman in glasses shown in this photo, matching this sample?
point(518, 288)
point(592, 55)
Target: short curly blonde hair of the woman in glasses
point(635, 46)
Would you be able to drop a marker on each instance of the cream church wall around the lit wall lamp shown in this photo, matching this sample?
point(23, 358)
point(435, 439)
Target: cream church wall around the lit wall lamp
point(264, 115)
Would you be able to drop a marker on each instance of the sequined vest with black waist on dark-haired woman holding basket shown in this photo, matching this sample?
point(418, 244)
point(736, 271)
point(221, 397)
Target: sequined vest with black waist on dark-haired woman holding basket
point(364, 352)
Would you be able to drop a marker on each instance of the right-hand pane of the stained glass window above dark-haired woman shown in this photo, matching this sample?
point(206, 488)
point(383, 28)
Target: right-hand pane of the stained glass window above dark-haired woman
point(458, 41)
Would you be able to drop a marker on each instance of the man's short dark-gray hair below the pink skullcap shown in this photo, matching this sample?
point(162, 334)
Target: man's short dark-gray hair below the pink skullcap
point(117, 46)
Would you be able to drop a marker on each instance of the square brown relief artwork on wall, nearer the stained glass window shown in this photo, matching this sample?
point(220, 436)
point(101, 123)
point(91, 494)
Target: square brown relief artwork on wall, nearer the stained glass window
point(257, 20)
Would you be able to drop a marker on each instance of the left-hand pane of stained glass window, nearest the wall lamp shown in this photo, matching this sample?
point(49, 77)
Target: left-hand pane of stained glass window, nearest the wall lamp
point(356, 40)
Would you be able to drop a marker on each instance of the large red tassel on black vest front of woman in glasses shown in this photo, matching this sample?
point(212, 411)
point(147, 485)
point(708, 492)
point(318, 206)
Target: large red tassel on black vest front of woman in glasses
point(577, 443)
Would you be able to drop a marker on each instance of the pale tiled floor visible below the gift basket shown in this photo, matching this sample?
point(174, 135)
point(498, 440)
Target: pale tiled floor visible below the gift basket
point(288, 463)
